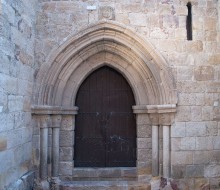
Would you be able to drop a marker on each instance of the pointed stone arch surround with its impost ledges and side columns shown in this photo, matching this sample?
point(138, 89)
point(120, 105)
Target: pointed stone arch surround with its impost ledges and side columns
point(117, 46)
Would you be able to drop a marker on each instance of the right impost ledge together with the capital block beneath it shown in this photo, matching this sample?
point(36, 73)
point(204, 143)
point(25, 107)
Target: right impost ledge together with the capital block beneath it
point(158, 114)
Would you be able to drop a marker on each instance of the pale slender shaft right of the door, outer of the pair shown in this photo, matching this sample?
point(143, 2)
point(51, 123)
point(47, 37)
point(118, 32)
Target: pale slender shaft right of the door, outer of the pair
point(166, 151)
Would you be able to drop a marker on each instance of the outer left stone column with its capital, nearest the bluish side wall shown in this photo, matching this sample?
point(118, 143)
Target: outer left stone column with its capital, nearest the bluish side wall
point(44, 124)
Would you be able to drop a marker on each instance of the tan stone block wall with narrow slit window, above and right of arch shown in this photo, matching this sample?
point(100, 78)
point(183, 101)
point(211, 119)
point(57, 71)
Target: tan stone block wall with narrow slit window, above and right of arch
point(195, 135)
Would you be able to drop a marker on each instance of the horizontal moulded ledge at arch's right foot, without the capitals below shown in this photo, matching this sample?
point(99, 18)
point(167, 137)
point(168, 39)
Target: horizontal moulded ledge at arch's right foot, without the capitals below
point(166, 108)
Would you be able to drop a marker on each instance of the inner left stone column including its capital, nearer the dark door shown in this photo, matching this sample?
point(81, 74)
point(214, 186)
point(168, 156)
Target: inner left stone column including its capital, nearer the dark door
point(56, 123)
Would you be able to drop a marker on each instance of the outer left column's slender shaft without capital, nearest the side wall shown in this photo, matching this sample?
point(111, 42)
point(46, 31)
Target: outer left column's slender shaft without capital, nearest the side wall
point(43, 152)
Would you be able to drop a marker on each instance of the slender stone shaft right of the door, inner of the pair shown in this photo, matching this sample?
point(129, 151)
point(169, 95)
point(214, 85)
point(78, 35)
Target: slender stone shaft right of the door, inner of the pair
point(155, 150)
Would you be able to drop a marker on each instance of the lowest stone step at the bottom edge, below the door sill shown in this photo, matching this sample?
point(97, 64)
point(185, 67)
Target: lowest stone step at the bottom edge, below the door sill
point(104, 185)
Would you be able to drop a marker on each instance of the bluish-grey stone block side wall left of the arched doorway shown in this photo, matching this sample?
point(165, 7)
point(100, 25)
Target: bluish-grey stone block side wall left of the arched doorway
point(17, 37)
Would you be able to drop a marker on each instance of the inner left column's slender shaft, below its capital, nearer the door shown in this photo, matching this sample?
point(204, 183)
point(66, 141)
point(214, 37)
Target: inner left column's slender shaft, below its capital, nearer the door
point(55, 152)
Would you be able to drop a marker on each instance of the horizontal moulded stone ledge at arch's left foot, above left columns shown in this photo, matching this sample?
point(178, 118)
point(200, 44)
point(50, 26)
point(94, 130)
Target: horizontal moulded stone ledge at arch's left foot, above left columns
point(54, 110)
